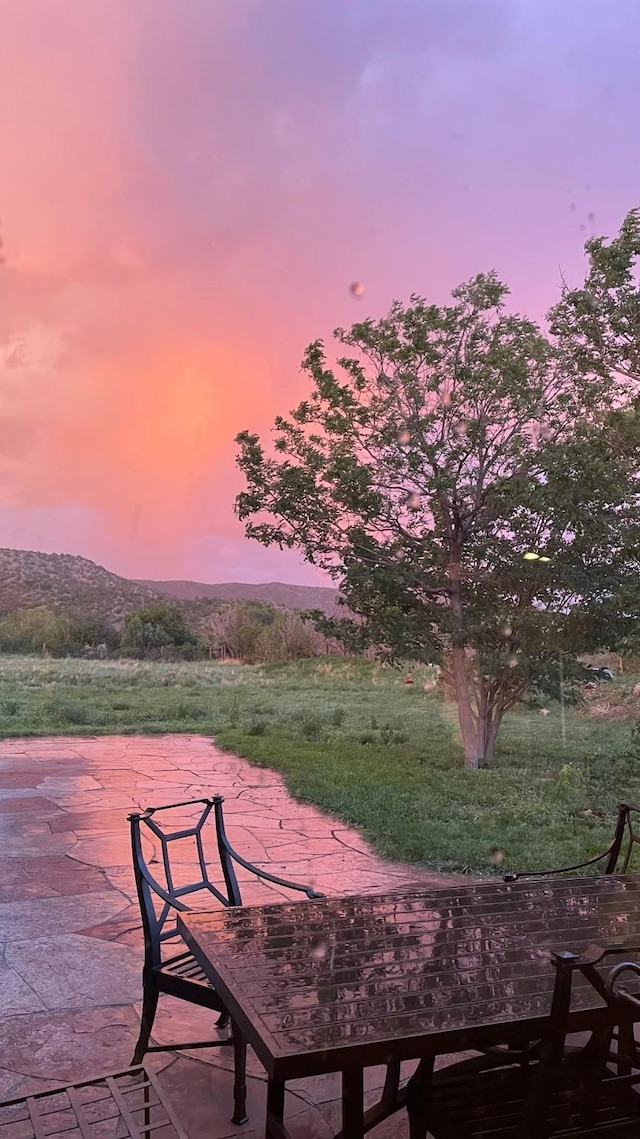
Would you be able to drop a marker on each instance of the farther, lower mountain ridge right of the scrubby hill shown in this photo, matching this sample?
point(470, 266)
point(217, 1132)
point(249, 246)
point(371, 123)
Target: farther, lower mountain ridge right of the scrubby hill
point(276, 593)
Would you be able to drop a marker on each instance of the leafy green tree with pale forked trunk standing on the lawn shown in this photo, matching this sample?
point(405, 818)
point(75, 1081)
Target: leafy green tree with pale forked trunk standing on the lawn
point(460, 478)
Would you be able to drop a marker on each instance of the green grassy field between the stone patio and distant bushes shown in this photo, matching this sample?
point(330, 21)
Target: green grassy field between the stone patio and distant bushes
point(351, 738)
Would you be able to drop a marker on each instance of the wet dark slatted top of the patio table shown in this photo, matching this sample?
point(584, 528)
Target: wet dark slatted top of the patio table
point(317, 986)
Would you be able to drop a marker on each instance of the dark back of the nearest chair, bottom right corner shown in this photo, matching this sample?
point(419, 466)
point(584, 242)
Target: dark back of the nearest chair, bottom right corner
point(602, 1070)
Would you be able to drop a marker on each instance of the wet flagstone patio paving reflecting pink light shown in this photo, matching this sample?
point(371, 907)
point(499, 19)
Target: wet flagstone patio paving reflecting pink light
point(70, 927)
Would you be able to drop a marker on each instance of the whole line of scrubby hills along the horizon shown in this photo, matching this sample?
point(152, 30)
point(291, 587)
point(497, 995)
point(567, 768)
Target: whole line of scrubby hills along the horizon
point(69, 584)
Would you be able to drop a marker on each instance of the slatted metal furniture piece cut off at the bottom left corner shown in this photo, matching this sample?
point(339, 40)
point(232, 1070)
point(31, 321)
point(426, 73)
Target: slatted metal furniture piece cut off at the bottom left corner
point(128, 1105)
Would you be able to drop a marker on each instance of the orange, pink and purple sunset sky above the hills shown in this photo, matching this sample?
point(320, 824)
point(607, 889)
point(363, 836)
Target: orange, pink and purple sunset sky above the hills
point(188, 189)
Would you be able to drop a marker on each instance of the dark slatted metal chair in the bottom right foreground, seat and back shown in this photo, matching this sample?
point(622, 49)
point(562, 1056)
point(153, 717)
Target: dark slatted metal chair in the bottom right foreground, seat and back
point(580, 1093)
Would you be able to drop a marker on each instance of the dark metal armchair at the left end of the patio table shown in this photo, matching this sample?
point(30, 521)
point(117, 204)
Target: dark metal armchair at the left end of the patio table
point(169, 966)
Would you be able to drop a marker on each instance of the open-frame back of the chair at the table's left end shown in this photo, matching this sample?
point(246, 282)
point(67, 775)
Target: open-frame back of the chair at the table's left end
point(182, 865)
